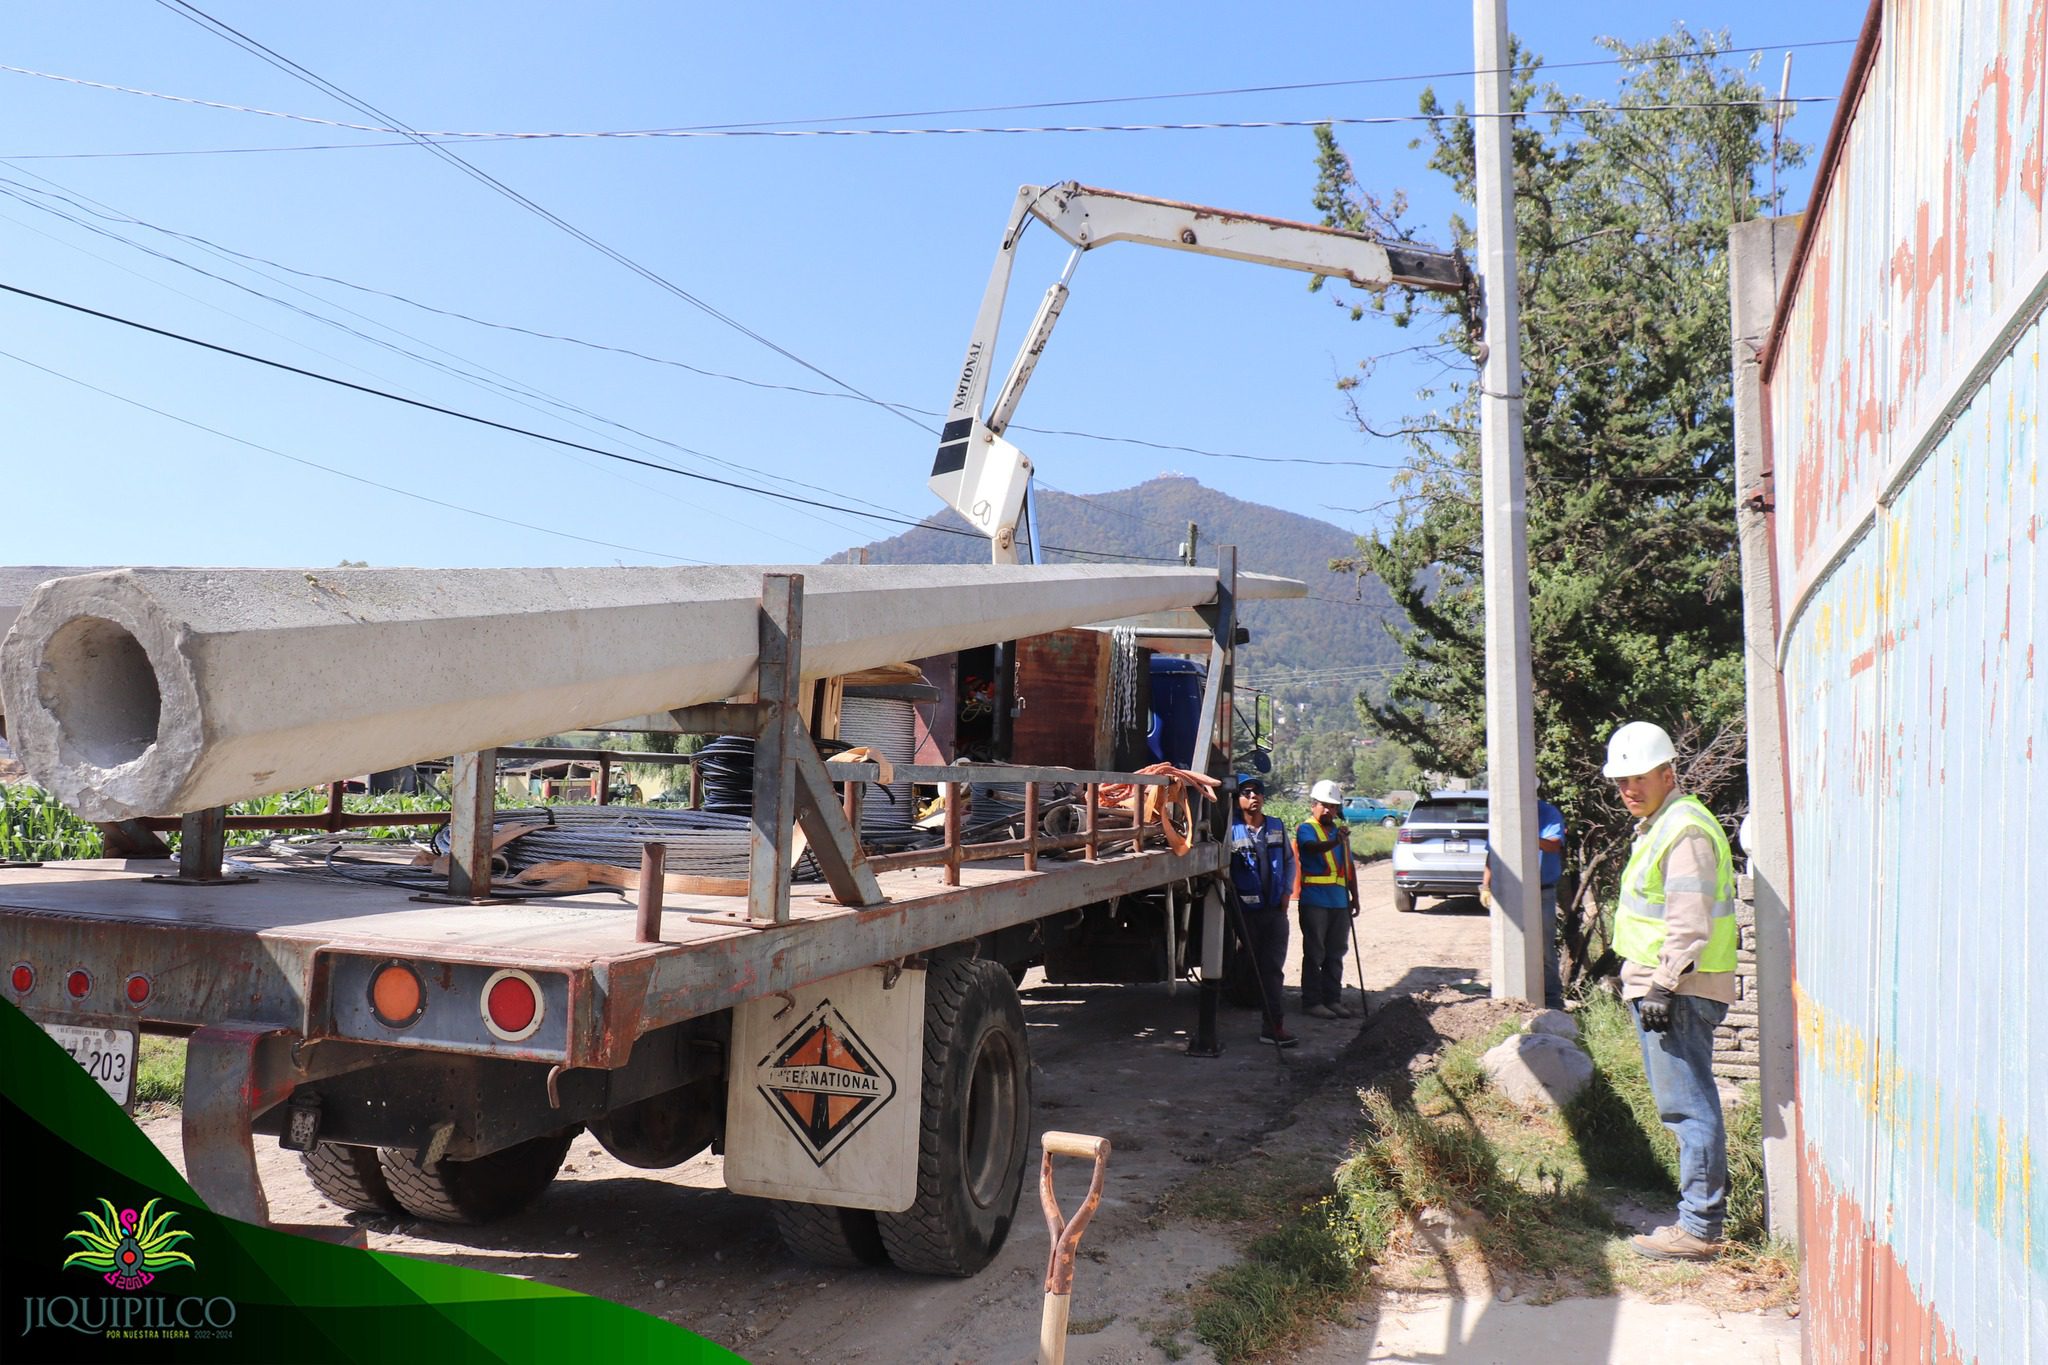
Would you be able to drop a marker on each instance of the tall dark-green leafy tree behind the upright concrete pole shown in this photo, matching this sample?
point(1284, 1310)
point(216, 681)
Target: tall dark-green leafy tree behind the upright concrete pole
point(1635, 611)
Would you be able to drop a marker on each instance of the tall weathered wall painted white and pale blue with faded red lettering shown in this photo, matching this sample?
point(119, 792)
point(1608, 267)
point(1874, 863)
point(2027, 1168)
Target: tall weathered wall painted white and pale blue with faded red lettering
point(1904, 412)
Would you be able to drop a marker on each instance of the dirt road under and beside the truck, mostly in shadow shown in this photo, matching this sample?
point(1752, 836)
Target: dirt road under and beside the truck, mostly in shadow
point(1109, 1061)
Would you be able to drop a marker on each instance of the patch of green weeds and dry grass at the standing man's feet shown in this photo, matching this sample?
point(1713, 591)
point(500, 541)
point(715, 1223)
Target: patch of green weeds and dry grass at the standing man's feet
point(1451, 1186)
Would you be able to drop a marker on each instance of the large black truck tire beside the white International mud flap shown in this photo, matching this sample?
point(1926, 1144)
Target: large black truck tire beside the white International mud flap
point(974, 1133)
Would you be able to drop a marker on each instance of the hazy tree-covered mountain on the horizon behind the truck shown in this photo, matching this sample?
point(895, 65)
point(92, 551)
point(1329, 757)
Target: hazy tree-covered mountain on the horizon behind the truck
point(1338, 629)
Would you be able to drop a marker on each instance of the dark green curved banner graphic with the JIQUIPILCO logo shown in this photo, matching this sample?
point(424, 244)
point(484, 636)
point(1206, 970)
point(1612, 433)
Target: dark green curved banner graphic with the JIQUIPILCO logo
point(112, 1258)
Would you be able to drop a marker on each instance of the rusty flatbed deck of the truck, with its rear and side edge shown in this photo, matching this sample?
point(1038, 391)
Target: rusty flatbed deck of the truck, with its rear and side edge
point(304, 946)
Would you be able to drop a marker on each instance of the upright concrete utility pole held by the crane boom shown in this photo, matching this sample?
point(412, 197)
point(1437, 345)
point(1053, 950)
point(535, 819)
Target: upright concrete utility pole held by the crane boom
point(1519, 940)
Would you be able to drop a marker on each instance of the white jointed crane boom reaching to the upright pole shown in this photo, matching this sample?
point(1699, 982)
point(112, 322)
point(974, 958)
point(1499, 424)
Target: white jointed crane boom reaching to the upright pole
point(980, 474)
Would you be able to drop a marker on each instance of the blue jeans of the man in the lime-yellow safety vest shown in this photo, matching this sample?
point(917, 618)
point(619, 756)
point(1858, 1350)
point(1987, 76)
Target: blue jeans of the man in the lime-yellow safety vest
point(1680, 1067)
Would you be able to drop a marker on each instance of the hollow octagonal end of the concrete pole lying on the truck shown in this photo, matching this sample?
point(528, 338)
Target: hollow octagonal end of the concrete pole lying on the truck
point(101, 699)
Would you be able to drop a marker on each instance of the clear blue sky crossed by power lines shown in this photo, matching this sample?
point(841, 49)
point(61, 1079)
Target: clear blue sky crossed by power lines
point(865, 257)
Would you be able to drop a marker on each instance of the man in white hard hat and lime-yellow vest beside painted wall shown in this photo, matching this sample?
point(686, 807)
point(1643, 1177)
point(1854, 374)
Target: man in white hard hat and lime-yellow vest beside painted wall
point(1674, 932)
